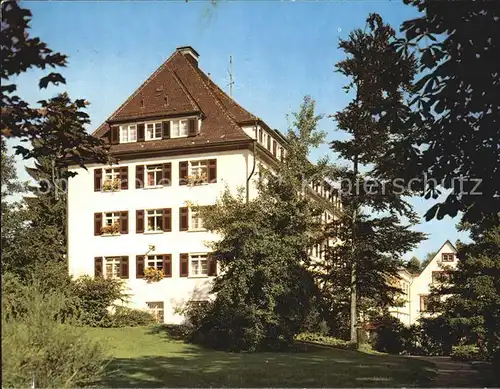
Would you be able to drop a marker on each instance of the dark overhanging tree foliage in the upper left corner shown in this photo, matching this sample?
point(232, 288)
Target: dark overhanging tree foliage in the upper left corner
point(19, 120)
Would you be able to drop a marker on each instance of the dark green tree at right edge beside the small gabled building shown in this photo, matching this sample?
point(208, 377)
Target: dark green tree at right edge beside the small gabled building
point(472, 304)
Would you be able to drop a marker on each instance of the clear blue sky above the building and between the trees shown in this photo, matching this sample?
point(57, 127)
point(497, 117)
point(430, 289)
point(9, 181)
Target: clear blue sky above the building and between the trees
point(281, 50)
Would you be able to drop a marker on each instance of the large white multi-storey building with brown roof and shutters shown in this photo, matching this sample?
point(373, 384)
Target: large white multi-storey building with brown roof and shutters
point(178, 139)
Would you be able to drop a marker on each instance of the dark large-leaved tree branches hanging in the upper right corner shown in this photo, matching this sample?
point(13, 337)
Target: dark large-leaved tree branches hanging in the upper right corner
point(451, 140)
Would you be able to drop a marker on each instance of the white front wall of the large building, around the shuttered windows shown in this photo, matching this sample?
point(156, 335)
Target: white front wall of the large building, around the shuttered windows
point(83, 202)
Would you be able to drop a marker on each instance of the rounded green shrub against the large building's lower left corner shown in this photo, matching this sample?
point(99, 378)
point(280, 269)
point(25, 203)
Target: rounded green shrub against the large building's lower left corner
point(95, 297)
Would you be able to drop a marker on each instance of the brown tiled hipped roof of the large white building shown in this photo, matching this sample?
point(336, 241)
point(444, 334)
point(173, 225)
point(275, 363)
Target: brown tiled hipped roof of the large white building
point(178, 87)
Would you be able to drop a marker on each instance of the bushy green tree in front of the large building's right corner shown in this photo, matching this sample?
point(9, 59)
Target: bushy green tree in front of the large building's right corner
point(265, 291)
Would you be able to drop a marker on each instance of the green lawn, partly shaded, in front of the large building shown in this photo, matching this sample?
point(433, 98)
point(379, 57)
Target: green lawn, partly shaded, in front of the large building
point(144, 359)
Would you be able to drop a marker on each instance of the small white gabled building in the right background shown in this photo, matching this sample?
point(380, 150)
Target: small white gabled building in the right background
point(417, 287)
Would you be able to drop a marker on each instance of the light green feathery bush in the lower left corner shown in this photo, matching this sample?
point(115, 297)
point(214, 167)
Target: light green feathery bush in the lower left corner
point(38, 342)
